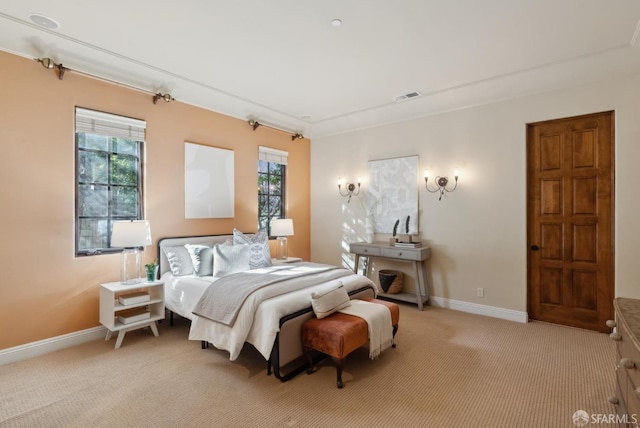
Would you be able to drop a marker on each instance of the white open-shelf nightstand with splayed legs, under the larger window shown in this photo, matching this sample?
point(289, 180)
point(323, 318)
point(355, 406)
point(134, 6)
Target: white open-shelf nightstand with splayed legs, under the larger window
point(114, 314)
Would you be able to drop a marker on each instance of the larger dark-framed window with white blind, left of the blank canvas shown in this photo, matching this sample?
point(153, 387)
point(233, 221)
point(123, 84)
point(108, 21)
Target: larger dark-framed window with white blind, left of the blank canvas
point(109, 157)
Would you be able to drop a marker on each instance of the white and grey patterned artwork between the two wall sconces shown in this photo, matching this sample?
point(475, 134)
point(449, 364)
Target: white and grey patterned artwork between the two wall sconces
point(392, 195)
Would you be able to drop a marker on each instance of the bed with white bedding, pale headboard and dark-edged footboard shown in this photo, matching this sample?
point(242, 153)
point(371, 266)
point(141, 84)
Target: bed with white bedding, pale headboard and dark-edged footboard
point(269, 321)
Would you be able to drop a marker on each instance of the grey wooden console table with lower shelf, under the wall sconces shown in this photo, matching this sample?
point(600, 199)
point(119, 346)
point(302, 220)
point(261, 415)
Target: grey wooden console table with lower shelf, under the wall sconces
point(416, 256)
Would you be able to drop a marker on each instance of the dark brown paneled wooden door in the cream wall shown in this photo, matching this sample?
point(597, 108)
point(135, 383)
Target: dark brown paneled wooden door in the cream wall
point(570, 221)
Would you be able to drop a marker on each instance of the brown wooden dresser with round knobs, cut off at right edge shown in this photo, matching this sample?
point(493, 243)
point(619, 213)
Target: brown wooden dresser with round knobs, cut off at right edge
point(626, 334)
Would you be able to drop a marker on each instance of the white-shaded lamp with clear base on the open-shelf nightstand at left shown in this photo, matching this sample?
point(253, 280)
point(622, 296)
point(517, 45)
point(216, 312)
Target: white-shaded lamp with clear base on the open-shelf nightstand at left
point(130, 235)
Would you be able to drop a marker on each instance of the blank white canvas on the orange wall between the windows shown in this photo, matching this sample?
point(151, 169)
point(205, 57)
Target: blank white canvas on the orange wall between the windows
point(208, 182)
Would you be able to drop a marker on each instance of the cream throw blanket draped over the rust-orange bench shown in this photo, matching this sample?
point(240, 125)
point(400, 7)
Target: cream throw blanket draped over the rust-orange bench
point(378, 318)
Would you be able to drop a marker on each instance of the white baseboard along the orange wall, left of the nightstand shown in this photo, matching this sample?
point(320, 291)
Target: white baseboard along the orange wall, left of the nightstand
point(45, 346)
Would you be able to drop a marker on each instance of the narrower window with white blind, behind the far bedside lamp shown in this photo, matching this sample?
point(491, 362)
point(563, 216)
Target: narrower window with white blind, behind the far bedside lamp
point(272, 165)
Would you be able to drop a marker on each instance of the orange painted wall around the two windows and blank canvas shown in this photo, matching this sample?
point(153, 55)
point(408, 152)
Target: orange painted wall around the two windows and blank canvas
point(45, 291)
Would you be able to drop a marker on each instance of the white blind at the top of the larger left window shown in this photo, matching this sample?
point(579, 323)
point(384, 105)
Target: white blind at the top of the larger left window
point(97, 122)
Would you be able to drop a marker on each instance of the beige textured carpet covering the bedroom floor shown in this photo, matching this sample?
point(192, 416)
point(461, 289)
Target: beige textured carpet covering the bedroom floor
point(450, 369)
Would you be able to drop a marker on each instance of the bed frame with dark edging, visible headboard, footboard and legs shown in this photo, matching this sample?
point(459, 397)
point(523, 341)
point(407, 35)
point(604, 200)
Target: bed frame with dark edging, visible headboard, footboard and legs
point(287, 358)
